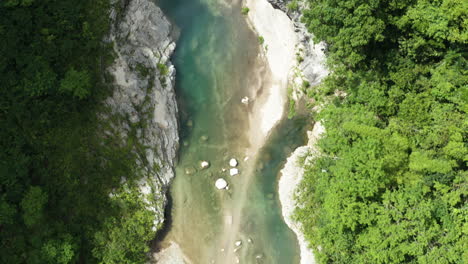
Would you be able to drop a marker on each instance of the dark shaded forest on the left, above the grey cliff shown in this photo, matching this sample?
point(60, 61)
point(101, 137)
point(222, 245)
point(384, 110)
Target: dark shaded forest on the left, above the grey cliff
point(57, 168)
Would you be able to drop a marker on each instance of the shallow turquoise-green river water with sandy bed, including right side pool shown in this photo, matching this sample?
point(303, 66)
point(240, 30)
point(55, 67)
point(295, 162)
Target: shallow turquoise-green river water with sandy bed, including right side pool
point(217, 64)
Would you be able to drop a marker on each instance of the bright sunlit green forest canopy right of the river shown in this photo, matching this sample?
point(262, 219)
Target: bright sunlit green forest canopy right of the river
point(391, 185)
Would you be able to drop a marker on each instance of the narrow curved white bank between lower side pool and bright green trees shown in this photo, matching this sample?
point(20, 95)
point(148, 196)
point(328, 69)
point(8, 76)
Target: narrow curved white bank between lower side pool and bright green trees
point(291, 176)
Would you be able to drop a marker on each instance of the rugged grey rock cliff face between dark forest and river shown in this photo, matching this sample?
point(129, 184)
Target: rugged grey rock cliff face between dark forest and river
point(144, 97)
